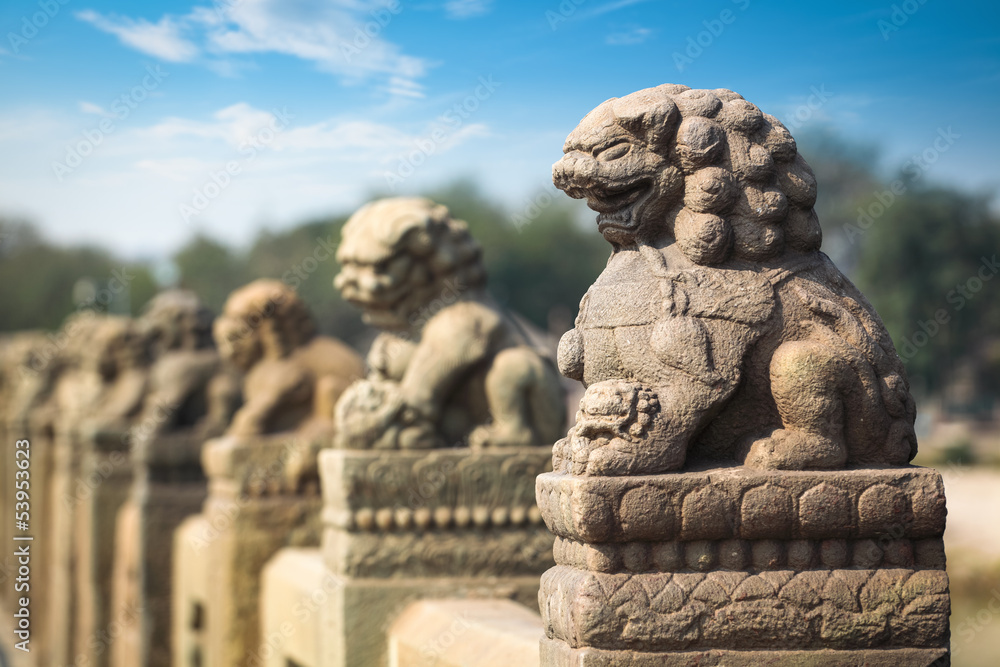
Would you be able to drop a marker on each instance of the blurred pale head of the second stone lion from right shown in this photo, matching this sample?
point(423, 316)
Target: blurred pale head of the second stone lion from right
point(399, 255)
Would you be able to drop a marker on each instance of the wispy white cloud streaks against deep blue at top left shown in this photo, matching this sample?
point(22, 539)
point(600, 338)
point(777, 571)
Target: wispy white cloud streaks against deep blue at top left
point(340, 37)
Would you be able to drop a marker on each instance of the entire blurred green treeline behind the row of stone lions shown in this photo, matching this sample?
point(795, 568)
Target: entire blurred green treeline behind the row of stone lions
point(913, 255)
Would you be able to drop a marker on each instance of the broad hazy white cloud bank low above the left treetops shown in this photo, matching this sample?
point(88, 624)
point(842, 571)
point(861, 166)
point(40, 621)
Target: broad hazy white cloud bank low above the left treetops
point(128, 190)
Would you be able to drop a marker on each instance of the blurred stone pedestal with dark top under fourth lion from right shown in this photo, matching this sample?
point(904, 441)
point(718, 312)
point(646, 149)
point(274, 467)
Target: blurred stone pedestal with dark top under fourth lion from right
point(168, 486)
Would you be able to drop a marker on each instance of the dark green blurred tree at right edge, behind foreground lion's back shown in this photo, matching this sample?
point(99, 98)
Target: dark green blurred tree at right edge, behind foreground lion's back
point(928, 264)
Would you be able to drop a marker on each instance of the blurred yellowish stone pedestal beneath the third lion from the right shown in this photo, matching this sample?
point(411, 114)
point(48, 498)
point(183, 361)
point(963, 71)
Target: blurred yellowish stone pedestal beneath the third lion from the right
point(263, 495)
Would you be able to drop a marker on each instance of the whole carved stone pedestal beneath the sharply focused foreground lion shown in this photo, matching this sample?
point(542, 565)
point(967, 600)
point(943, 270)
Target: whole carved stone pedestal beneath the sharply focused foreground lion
point(733, 566)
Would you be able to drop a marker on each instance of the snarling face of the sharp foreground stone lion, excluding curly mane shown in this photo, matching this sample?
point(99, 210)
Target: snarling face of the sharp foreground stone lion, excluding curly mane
point(626, 180)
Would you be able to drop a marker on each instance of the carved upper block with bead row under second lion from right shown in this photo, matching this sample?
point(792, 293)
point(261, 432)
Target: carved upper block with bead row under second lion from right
point(444, 512)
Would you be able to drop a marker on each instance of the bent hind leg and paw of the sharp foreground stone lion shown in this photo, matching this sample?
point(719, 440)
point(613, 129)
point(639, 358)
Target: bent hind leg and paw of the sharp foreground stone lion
point(807, 382)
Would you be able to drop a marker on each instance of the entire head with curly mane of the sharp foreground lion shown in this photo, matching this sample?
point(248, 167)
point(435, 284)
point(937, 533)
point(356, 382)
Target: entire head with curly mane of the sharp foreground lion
point(704, 167)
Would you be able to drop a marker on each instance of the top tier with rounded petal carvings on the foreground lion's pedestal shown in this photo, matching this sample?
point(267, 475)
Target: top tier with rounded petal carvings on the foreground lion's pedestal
point(738, 502)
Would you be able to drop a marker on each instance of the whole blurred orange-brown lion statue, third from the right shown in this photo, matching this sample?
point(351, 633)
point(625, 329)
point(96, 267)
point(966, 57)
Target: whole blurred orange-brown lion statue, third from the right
point(293, 377)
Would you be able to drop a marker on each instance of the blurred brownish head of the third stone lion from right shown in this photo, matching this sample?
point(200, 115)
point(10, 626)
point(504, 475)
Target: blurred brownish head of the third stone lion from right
point(265, 319)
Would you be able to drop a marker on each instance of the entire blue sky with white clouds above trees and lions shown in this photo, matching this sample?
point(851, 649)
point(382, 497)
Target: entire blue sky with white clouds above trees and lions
point(133, 125)
